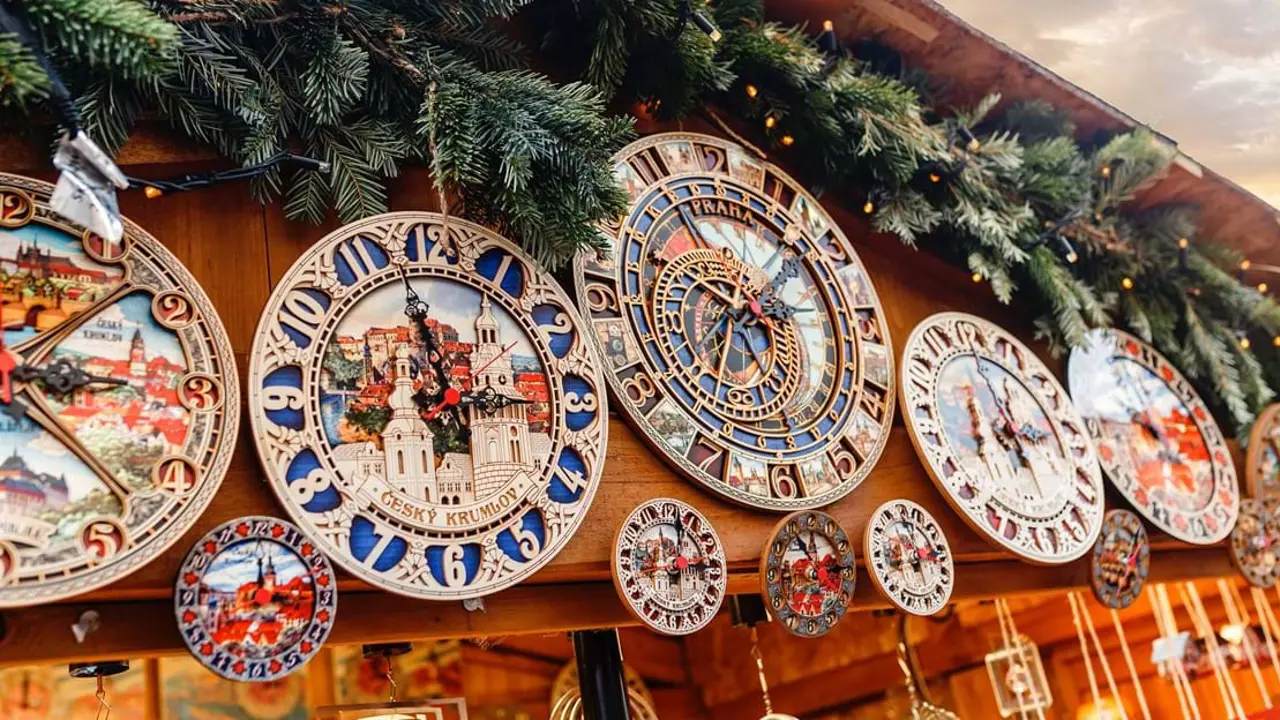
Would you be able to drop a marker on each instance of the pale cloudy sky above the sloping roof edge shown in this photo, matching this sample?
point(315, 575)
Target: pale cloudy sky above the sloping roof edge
point(1204, 72)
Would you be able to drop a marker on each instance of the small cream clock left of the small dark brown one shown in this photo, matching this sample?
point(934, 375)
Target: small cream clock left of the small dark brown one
point(669, 567)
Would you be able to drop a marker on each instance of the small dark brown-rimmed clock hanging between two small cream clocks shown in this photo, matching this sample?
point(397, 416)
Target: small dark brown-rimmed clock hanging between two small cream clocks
point(807, 573)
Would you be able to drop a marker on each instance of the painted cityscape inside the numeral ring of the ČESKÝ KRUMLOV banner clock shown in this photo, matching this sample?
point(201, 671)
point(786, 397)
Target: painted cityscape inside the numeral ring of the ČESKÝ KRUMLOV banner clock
point(382, 403)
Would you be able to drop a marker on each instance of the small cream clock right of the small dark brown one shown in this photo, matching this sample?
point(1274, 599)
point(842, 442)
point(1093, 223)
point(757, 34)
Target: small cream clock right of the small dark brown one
point(908, 558)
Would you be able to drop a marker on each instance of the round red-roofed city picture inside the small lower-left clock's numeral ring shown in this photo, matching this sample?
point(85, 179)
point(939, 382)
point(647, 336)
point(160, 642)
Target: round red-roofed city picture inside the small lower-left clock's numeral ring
point(257, 599)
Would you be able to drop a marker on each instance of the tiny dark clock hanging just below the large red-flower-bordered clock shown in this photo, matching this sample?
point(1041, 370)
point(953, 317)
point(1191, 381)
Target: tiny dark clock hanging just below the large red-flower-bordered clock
point(1121, 560)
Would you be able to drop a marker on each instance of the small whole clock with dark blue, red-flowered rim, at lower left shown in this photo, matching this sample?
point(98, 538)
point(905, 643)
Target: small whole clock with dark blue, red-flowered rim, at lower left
point(255, 600)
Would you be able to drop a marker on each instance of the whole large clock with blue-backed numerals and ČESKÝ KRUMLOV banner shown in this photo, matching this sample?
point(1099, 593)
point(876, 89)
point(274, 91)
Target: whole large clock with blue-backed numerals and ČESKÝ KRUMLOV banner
point(426, 407)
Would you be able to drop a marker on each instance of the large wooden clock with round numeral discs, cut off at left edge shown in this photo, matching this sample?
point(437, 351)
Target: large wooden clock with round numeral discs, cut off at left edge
point(118, 402)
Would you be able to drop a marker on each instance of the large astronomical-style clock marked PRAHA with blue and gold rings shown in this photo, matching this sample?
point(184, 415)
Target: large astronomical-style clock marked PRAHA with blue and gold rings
point(742, 334)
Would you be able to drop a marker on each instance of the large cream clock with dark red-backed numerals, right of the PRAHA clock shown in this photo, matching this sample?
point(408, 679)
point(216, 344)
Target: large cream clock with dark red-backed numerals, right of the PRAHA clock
point(1000, 439)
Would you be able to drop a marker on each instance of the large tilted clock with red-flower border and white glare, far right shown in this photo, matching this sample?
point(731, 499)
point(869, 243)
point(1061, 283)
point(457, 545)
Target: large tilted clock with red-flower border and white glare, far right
point(1156, 440)
